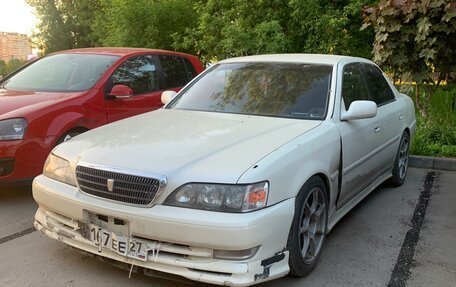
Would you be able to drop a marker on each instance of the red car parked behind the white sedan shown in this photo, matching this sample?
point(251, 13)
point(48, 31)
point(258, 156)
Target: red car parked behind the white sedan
point(61, 95)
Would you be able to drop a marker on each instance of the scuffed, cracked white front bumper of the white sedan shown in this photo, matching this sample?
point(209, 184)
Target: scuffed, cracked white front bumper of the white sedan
point(188, 237)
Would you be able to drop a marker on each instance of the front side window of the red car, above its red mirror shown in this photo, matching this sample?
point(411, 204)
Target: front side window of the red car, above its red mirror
point(139, 73)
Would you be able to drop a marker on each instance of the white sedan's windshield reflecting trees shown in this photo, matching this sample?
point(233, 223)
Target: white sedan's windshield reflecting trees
point(291, 90)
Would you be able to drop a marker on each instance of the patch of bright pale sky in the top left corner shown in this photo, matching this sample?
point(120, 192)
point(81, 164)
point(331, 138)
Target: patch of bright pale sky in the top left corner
point(16, 16)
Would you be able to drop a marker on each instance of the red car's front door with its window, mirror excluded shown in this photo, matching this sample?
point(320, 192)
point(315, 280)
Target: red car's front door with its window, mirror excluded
point(141, 74)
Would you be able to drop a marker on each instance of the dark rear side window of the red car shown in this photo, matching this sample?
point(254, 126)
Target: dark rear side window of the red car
point(174, 71)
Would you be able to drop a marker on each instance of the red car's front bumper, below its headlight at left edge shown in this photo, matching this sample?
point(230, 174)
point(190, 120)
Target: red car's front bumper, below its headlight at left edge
point(23, 159)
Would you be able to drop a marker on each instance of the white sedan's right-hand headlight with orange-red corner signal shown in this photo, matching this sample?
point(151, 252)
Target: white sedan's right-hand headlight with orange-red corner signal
point(220, 197)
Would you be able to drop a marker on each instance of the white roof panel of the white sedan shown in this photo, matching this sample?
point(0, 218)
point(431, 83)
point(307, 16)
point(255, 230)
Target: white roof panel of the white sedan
point(299, 58)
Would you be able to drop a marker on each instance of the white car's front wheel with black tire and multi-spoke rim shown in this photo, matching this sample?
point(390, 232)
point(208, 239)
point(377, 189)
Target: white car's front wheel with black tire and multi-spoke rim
point(308, 229)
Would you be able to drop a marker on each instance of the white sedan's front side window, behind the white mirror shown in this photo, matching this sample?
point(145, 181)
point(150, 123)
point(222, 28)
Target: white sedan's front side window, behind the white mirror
point(353, 87)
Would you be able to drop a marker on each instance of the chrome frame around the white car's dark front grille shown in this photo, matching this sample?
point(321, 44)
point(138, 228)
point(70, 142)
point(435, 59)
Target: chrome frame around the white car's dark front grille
point(162, 182)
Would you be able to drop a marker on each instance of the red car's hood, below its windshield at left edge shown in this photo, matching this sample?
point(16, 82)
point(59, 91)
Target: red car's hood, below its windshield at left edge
point(22, 103)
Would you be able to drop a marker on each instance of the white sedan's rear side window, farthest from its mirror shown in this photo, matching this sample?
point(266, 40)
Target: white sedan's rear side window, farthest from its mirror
point(379, 89)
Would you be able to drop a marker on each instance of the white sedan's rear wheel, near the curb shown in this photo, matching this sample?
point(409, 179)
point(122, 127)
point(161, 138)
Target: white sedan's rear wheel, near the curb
point(400, 165)
